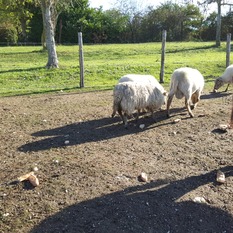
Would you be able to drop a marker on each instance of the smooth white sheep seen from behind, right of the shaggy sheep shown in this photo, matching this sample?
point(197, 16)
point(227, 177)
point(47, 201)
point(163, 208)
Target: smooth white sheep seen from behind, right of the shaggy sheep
point(186, 82)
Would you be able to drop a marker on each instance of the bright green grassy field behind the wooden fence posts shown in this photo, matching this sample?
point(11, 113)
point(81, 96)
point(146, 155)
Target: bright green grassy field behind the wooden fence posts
point(22, 69)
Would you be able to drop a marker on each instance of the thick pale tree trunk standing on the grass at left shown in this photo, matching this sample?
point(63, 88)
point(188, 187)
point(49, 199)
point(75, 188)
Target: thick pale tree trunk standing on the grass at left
point(49, 35)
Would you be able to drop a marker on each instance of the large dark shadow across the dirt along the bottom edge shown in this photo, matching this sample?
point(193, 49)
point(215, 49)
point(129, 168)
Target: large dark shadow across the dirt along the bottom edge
point(152, 207)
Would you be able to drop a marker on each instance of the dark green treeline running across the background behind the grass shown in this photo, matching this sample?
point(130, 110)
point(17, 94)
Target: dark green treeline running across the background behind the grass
point(182, 22)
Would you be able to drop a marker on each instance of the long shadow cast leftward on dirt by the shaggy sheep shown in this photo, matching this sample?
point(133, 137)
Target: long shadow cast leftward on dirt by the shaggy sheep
point(89, 131)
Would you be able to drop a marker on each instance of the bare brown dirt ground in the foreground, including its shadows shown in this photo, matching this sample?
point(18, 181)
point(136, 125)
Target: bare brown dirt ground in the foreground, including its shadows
point(88, 166)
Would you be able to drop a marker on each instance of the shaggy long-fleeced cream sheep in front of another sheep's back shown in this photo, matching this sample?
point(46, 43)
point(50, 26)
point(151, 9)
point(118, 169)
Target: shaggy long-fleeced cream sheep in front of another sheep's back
point(130, 96)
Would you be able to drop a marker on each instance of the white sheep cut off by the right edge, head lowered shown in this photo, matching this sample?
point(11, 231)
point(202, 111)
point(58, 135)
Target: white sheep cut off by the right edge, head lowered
point(226, 77)
